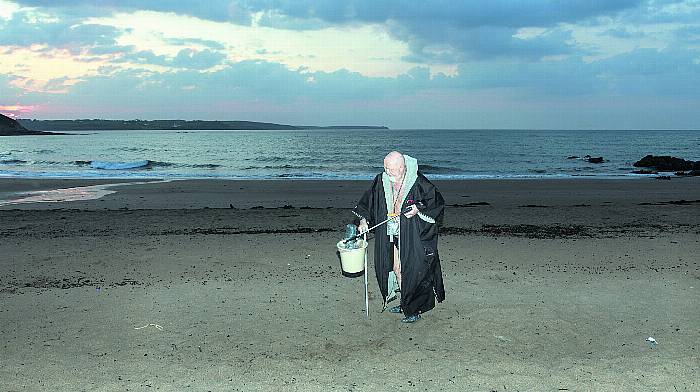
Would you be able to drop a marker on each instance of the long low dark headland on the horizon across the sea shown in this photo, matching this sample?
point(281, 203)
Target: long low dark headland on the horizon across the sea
point(114, 125)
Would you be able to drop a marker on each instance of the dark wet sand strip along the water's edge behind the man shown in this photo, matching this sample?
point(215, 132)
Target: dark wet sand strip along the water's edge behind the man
point(217, 193)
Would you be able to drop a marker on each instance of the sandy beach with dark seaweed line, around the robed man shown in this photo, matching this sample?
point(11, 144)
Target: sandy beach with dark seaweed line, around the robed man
point(552, 285)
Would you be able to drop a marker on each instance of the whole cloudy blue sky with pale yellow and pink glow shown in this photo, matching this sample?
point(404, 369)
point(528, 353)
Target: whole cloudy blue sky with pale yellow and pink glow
point(537, 64)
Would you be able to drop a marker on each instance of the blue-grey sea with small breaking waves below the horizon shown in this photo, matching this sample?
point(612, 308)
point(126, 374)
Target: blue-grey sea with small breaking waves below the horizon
point(338, 154)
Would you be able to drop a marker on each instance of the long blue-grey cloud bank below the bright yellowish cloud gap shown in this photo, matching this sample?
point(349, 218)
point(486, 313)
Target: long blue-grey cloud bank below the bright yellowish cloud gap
point(670, 72)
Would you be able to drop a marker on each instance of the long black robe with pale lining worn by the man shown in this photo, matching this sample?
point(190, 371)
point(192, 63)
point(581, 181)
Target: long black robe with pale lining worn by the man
point(421, 274)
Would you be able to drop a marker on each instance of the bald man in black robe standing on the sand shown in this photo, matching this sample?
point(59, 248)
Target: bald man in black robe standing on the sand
point(405, 251)
